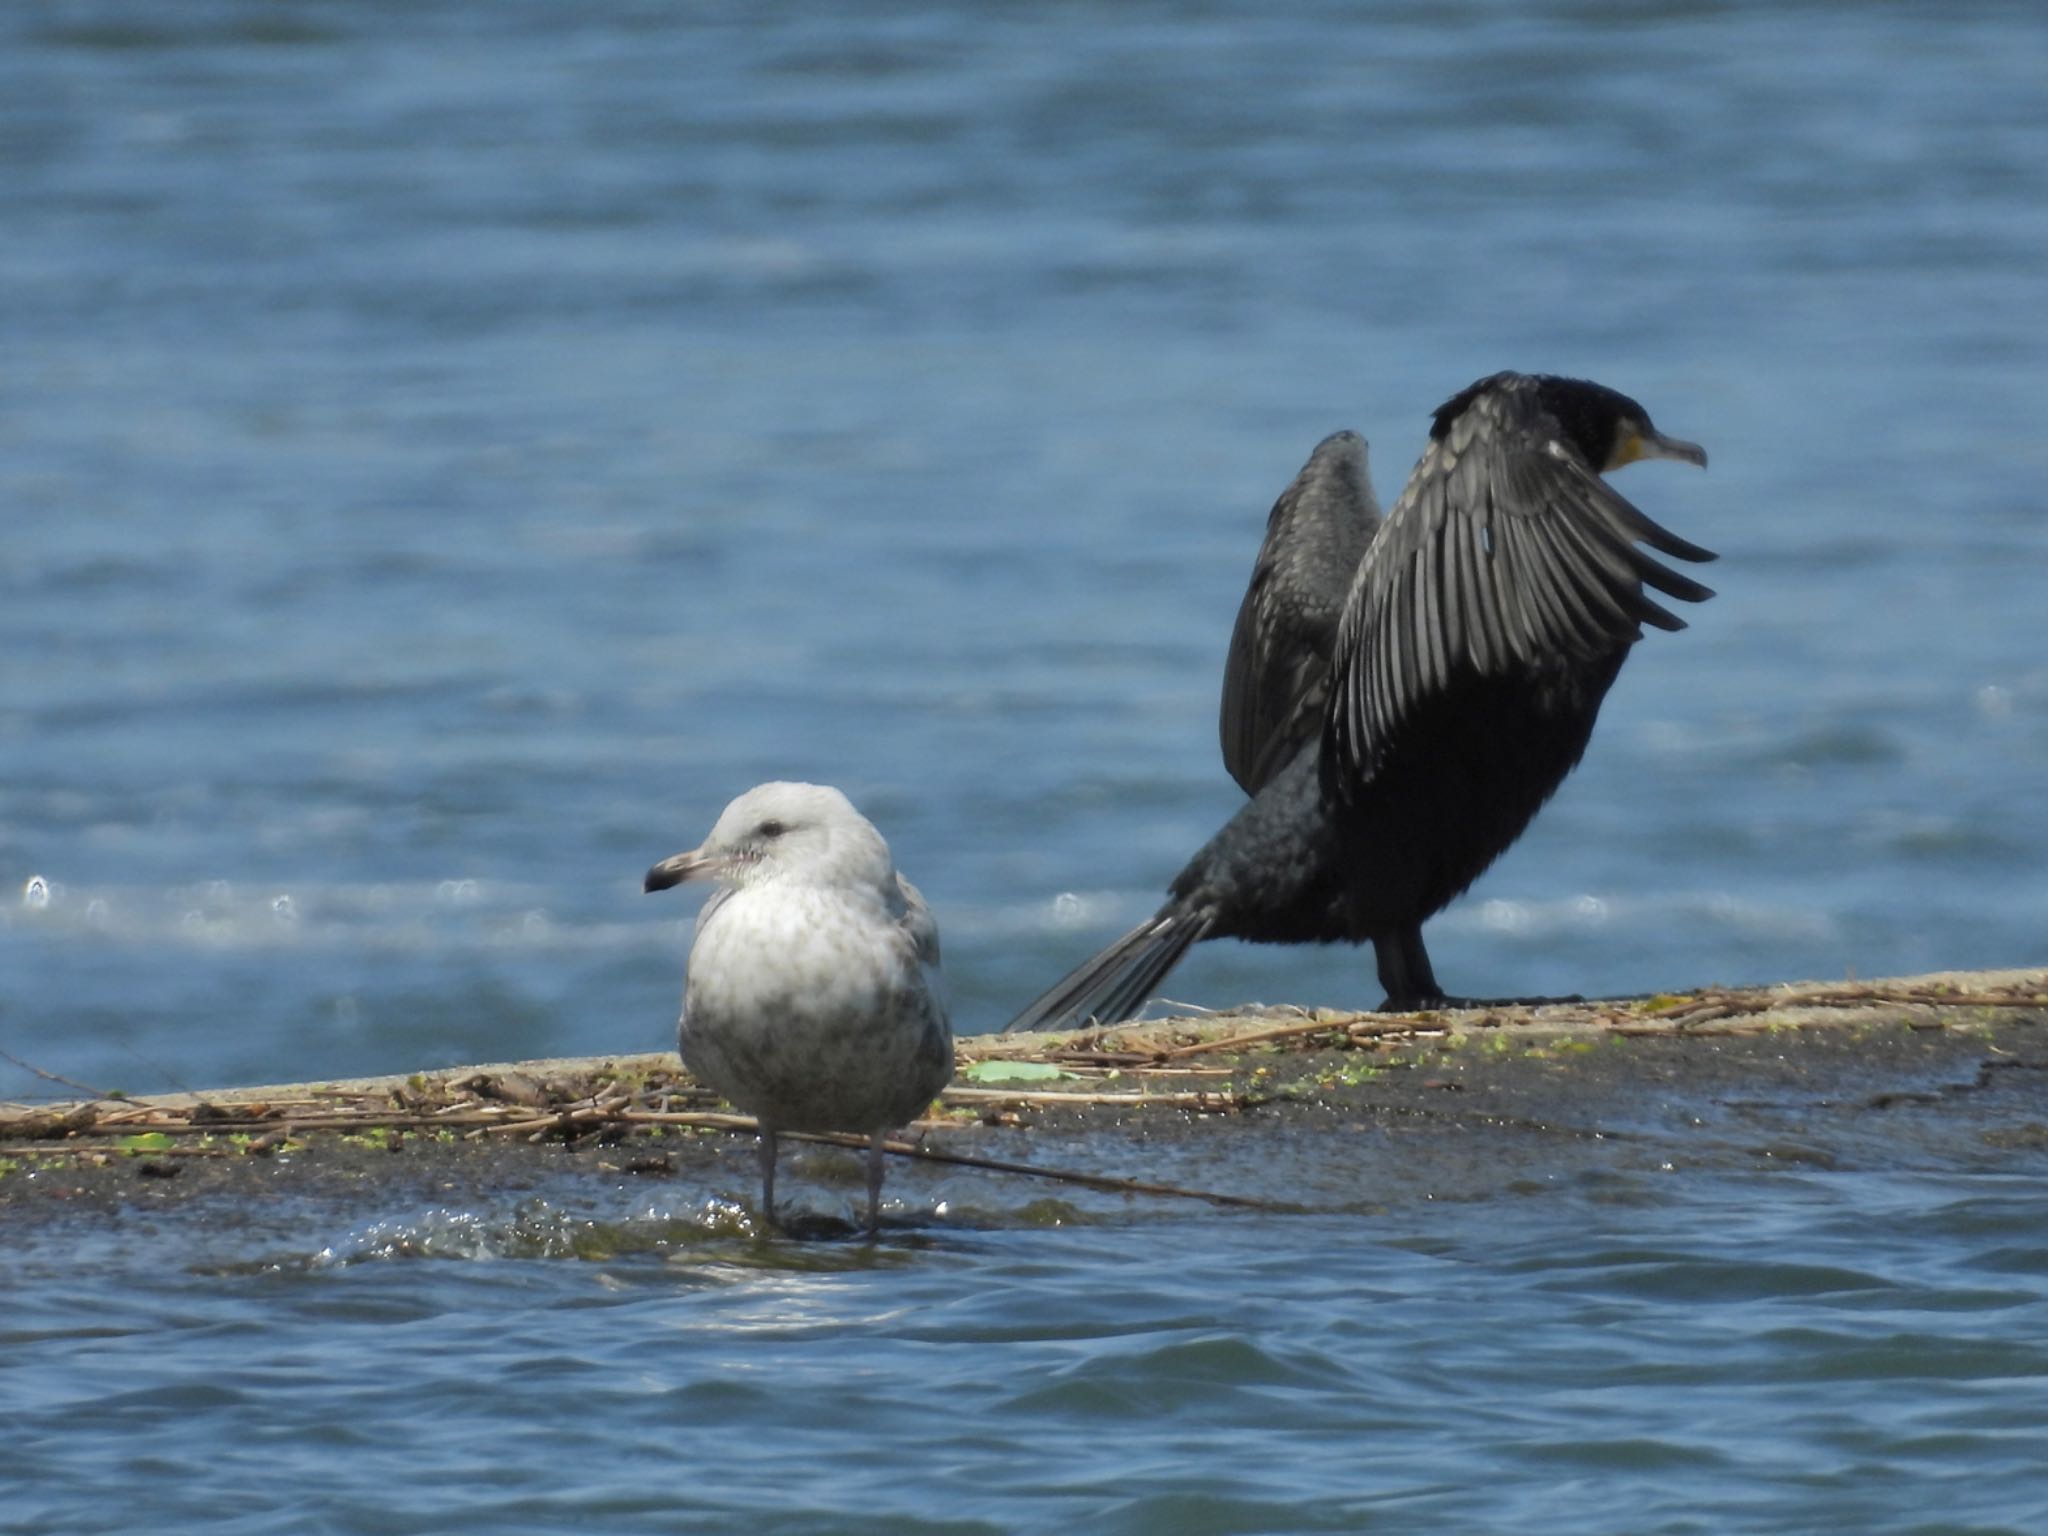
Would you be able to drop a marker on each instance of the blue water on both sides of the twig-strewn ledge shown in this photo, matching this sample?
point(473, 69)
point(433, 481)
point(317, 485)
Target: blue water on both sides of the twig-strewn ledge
point(447, 452)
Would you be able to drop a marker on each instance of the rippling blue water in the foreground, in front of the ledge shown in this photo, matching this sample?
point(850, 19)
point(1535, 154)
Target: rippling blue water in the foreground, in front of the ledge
point(1832, 1353)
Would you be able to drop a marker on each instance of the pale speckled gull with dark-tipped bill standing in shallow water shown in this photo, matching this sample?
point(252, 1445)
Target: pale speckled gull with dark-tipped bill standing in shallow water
point(814, 996)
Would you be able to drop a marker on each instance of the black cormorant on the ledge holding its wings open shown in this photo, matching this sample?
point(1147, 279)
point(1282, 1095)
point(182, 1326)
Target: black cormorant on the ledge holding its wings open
point(1478, 636)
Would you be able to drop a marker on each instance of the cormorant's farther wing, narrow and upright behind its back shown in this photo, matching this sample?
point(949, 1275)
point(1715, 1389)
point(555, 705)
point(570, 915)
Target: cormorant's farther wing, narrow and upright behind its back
point(1277, 679)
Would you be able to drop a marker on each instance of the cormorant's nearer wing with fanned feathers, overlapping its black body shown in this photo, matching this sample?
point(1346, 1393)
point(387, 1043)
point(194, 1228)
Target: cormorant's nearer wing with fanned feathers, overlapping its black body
point(1504, 552)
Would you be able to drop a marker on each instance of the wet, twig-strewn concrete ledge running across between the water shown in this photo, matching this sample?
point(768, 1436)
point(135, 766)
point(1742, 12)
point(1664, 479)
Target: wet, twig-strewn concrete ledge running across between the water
point(1275, 1109)
